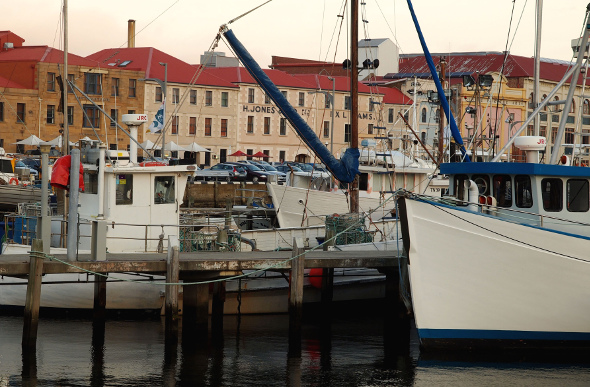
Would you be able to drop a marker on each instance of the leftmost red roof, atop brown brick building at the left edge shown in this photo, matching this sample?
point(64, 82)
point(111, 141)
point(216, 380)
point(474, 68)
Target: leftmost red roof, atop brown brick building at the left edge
point(43, 54)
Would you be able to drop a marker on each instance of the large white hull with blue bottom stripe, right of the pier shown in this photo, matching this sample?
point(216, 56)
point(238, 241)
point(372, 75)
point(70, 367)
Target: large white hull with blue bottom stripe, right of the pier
point(477, 278)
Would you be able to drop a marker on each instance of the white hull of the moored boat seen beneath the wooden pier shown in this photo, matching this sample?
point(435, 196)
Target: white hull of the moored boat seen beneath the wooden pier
point(258, 296)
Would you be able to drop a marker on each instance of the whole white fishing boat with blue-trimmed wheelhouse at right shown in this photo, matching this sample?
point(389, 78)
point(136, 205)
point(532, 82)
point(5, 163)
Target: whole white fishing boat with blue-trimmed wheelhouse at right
point(502, 261)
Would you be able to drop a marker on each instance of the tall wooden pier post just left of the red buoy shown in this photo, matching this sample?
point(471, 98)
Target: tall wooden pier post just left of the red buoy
point(296, 292)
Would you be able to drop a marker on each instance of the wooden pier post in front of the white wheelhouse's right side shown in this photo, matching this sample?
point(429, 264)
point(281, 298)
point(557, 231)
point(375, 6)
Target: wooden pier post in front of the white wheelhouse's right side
point(172, 277)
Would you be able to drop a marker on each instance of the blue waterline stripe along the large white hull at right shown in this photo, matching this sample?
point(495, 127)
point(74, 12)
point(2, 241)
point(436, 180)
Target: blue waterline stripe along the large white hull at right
point(457, 334)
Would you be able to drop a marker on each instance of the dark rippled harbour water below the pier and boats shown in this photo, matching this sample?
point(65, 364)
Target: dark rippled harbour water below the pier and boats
point(352, 353)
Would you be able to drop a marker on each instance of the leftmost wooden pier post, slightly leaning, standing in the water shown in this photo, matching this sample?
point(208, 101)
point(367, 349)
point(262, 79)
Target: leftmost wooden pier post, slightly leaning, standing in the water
point(33, 299)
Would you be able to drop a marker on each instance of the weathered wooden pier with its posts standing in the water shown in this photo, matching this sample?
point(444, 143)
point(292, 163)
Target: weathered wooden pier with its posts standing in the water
point(193, 268)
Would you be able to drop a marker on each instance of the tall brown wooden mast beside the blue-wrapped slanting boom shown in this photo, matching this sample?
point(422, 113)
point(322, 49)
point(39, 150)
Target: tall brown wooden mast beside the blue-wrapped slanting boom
point(354, 192)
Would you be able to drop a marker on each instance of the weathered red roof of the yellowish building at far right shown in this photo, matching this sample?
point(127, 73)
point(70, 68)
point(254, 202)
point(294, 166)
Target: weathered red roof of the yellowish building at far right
point(485, 62)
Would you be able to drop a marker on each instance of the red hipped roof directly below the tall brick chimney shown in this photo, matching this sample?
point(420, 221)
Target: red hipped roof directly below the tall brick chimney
point(148, 59)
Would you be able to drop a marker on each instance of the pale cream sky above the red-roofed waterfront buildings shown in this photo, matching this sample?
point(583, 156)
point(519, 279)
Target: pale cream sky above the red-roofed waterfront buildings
point(306, 29)
